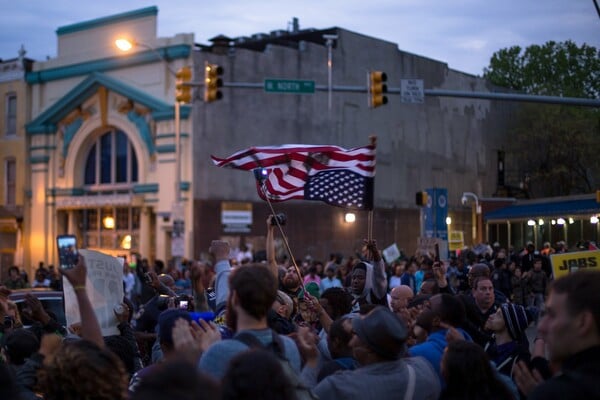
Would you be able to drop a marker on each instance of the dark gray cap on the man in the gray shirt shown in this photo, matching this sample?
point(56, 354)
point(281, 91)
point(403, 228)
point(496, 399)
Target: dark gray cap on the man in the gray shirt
point(383, 332)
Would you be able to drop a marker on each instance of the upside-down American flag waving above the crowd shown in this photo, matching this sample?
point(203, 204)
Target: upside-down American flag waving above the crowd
point(337, 176)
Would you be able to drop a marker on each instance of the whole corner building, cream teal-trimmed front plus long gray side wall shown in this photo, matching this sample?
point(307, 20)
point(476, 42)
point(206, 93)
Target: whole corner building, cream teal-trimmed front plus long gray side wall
point(105, 163)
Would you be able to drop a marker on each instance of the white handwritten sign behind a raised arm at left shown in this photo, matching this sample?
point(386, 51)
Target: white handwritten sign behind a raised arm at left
point(104, 287)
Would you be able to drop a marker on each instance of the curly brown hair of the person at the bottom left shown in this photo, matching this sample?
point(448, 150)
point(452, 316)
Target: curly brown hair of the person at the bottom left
point(82, 370)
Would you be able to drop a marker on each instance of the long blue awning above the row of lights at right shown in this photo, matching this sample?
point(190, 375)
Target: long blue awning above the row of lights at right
point(563, 207)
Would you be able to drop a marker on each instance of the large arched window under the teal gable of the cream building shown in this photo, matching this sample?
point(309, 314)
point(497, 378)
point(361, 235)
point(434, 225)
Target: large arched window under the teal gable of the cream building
point(111, 161)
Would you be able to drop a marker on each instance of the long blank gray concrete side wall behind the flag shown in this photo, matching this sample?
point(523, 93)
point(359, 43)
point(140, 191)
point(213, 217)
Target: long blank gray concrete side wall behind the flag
point(445, 142)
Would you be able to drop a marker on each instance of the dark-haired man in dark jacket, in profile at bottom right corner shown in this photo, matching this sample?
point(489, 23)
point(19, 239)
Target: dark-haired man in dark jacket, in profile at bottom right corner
point(571, 331)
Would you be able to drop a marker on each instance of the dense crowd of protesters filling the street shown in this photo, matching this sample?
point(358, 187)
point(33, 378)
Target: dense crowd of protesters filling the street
point(355, 327)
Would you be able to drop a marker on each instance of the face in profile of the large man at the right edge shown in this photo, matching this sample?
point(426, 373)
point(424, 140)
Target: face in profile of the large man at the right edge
point(557, 326)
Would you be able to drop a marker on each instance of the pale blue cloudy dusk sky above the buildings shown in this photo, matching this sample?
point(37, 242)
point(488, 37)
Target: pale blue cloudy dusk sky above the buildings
point(462, 33)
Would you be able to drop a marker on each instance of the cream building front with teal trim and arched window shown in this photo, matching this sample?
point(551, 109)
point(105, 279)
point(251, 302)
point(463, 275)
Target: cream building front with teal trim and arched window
point(103, 140)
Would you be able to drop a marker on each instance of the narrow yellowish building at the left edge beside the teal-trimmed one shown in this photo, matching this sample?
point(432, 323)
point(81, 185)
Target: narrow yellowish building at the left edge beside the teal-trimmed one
point(14, 112)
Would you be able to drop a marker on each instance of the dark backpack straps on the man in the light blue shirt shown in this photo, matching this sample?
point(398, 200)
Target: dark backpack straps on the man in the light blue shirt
point(302, 391)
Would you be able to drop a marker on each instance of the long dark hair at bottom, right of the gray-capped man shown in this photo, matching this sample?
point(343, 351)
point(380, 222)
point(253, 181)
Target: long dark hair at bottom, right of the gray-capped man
point(469, 375)
